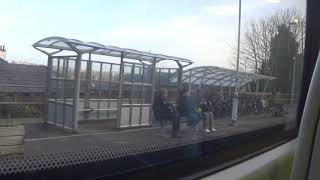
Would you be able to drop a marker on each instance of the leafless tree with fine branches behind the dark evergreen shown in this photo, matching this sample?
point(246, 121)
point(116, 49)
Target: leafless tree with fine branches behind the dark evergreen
point(256, 40)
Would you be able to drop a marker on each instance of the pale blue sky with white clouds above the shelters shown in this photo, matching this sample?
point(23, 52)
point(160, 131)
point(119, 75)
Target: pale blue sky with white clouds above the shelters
point(200, 30)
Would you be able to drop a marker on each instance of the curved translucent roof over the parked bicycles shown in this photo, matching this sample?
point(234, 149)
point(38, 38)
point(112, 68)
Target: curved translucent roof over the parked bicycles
point(217, 76)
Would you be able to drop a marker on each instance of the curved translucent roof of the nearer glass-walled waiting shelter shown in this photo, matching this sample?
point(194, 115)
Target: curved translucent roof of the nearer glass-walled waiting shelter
point(80, 47)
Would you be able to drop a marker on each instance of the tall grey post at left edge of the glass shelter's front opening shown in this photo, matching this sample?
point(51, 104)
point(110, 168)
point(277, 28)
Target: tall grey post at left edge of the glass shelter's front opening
point(76, 93)
